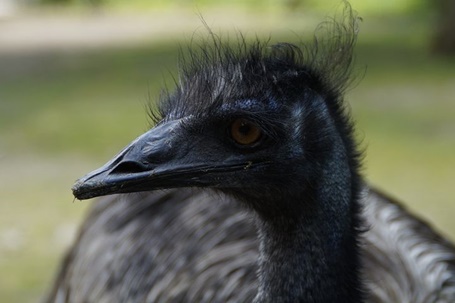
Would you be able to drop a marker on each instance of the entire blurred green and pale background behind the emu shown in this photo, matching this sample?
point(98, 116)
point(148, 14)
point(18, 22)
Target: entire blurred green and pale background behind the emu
point(75, 77)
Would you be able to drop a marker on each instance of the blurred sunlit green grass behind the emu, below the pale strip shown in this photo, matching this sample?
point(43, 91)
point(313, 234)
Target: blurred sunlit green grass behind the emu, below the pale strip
point(64, 114)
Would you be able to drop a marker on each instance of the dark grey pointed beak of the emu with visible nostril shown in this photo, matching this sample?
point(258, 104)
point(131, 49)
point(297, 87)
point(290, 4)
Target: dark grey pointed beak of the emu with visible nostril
point(160, 158)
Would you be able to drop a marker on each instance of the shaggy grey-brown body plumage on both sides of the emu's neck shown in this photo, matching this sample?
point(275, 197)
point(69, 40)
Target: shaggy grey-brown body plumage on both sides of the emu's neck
point(192, 246)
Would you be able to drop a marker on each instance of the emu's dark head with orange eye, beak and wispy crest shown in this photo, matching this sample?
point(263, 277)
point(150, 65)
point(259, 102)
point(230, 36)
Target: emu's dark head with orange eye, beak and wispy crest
point(253, 121)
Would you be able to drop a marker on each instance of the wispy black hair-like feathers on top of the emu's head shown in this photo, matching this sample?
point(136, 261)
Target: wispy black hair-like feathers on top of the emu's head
point(215, 71)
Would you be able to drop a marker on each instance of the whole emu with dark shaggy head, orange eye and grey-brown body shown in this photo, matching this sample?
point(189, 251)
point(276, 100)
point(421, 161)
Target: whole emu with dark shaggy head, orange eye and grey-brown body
point(248, 189)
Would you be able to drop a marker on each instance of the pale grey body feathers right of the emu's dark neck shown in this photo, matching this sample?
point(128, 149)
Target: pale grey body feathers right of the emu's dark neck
point(405, 260)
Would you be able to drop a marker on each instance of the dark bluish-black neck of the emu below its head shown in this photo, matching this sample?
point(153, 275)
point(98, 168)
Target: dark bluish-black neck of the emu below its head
point(311, 257)
